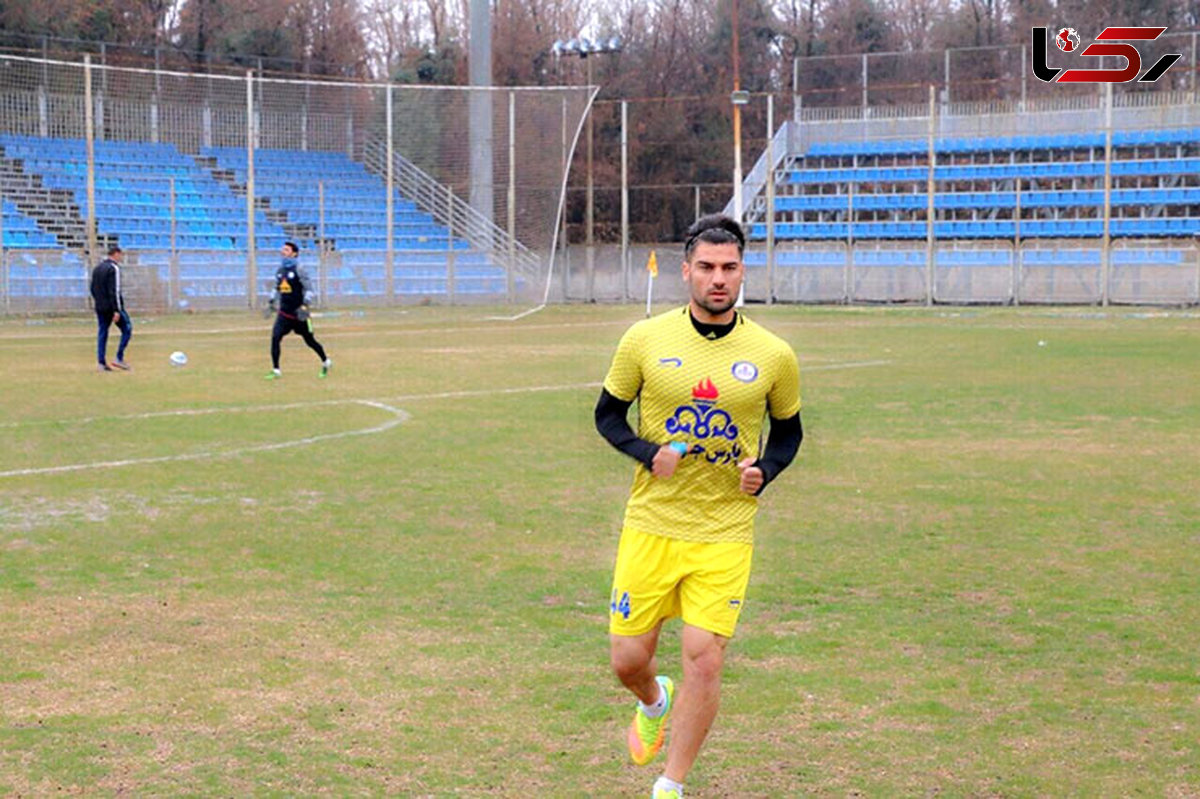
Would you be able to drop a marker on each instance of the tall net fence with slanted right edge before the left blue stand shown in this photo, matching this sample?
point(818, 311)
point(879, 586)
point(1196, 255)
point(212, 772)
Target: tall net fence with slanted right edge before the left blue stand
point(394, 194)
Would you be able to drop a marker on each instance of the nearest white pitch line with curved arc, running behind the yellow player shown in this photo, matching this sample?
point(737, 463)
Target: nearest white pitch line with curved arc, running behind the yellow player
point(399, 417)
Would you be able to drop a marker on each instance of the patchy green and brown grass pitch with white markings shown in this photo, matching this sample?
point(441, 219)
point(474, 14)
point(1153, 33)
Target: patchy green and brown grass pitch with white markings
point(980, 578)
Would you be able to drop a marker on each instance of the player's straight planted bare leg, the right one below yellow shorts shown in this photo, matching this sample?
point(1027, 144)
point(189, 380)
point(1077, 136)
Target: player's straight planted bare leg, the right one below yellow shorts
point(704, 657)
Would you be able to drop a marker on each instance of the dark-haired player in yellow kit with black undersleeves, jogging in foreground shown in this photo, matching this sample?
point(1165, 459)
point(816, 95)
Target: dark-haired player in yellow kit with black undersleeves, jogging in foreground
point(705, 379)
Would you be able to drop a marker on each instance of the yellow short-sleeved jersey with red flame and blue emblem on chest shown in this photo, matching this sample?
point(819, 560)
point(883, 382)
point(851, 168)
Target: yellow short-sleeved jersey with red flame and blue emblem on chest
point(713, 397)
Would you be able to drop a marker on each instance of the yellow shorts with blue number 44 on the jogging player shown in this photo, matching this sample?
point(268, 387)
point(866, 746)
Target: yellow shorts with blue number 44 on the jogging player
point(661, 579)
